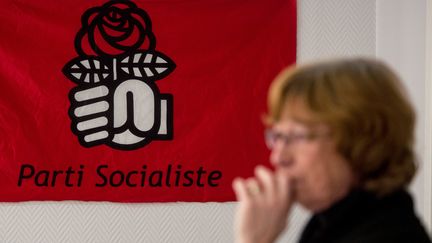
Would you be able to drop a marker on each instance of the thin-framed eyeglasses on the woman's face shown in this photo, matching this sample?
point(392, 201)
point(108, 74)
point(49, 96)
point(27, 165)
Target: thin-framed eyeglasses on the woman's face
point(271, 137)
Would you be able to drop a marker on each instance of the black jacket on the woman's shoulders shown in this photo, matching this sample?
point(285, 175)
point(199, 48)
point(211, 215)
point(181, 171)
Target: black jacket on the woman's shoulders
point(363, 218)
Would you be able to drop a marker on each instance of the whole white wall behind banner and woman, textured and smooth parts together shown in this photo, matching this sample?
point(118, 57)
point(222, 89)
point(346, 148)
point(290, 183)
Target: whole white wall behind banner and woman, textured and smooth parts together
point(326, 28)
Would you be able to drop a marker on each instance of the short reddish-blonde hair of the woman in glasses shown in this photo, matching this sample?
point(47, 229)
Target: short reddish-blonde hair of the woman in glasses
point(369, 114)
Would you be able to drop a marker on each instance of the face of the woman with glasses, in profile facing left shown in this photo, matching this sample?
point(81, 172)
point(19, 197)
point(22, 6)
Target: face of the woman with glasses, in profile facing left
point(308, 155)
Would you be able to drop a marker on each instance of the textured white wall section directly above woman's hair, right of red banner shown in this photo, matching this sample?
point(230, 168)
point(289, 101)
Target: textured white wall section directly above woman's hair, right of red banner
point(329, 28)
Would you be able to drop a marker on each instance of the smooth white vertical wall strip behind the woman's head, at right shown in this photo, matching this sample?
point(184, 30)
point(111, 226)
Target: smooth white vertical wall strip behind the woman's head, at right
point(401, 42)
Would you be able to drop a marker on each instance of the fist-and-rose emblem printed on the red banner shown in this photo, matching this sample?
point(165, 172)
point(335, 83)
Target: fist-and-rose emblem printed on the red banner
point(116, 101)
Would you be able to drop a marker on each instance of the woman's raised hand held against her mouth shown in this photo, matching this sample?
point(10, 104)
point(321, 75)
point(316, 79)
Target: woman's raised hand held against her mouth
point(264, 204)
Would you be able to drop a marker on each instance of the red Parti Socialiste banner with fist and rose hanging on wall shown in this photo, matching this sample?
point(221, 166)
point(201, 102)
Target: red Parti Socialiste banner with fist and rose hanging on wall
point(136, 101)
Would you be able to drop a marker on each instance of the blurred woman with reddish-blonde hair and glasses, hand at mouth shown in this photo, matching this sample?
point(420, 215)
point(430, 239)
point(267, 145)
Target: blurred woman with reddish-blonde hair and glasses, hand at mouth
point(341, 139)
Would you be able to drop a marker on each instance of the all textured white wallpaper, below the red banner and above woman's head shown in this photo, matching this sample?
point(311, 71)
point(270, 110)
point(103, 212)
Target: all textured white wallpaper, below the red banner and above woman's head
point(326, 28)
